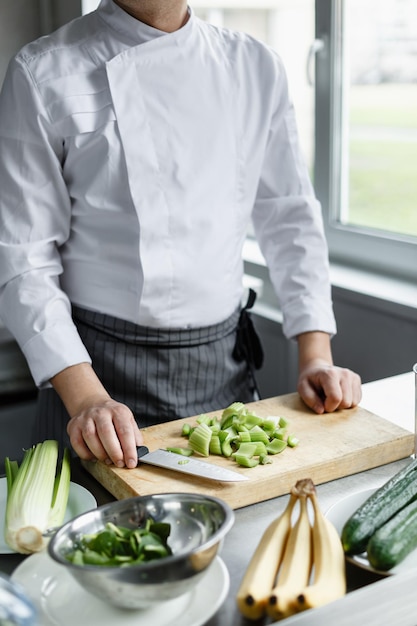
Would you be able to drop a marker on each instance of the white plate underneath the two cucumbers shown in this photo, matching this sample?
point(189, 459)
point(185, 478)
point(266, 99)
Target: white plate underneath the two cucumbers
point(340, 512)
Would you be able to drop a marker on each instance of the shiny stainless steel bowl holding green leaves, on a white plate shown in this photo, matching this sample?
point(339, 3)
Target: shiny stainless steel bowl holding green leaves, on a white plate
point(198, 526)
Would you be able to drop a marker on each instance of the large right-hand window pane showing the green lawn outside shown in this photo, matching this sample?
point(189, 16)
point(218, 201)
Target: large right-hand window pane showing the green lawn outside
point(380, 100)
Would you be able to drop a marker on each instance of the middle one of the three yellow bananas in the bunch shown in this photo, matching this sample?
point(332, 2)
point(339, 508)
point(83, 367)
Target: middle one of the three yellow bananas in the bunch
point(295, 567)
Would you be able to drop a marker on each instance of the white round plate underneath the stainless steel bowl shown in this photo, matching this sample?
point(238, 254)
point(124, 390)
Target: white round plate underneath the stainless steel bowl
point(60, 601)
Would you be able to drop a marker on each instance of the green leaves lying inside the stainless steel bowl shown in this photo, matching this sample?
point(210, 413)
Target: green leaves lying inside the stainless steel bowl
point(118, 546)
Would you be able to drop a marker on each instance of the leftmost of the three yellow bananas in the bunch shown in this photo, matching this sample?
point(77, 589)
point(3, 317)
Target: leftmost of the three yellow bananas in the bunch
point(256, 585)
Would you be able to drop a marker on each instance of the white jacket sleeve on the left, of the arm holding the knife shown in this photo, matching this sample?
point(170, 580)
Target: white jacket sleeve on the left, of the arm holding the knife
point(34, 222)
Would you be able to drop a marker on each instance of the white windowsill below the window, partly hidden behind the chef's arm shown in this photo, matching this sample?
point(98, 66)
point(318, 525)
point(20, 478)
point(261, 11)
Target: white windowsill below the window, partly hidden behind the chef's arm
point(362, 282)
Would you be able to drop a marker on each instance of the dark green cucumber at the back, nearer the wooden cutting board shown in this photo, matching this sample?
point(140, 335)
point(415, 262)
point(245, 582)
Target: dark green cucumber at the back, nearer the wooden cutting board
point(383, 504)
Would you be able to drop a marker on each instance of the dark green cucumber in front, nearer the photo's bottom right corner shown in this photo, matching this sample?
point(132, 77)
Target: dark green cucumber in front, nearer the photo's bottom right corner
point(391, 543)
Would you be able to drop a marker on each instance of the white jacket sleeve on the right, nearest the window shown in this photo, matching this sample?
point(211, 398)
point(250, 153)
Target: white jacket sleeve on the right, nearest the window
point(288, 225)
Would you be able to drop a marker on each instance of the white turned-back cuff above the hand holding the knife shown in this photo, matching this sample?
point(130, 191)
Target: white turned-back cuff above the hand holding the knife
point(53, 350)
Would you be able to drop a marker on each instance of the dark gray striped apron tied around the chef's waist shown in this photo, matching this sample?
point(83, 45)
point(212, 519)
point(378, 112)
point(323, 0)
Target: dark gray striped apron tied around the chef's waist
point(161, 375)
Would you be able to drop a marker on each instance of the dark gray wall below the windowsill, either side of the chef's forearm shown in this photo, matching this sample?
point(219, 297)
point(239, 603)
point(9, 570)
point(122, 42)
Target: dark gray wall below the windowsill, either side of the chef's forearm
point(375, 338)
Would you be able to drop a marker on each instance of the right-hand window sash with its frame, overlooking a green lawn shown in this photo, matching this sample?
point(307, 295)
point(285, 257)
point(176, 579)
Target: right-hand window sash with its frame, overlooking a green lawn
point(366, 122)
